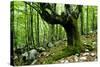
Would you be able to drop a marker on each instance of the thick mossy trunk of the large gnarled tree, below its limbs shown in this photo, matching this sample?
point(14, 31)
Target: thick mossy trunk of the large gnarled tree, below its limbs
point(73, 37)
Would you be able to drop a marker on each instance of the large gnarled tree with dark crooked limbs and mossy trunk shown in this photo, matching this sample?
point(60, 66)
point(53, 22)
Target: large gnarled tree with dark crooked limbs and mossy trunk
point(67, 19)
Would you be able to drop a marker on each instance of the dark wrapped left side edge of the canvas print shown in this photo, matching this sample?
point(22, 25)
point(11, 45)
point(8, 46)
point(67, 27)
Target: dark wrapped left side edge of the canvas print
point(12, 32)
